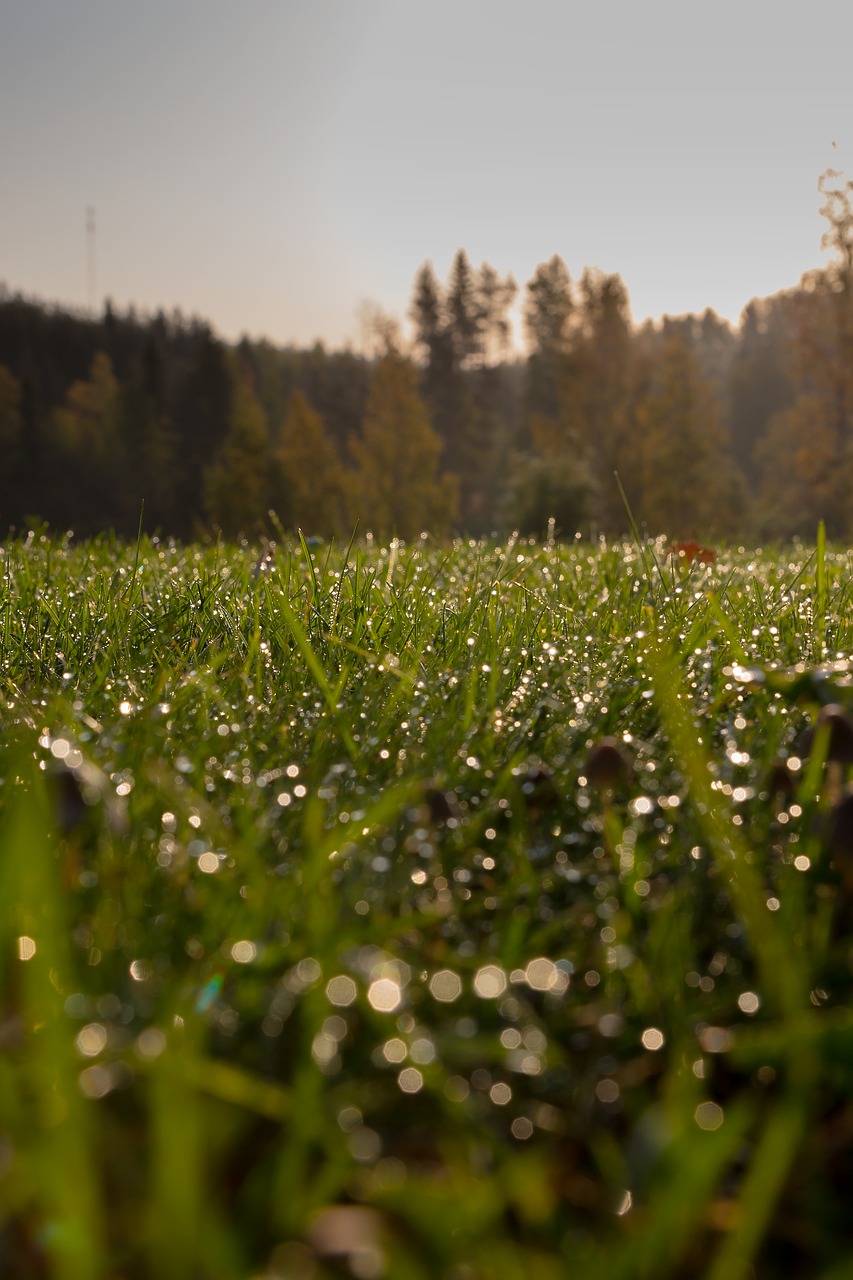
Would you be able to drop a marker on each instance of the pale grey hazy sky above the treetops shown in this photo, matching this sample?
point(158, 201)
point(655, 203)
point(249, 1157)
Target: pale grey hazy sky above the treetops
point(271, 164)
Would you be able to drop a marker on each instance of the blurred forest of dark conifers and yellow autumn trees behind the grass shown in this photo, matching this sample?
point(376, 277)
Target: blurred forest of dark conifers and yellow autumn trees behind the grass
point(715, 432)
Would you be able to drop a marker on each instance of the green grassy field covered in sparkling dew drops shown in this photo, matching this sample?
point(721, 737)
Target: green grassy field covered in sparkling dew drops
point(437, 913)
